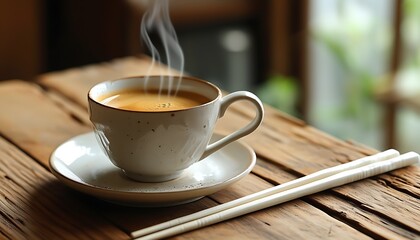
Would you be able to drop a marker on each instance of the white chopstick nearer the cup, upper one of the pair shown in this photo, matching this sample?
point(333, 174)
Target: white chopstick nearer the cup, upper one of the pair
point(274, 190)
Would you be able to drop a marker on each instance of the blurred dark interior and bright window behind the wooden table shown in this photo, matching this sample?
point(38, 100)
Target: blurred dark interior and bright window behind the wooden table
point(348, 67)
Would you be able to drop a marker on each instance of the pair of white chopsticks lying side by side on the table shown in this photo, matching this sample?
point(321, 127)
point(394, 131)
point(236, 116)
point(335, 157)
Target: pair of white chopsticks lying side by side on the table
point(319, 181)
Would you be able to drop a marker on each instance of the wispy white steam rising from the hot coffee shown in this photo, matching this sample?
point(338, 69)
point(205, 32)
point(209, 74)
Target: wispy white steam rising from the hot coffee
point(157, 20)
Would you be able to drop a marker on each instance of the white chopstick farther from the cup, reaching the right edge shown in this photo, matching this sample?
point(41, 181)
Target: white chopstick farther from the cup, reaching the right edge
point(294, 193)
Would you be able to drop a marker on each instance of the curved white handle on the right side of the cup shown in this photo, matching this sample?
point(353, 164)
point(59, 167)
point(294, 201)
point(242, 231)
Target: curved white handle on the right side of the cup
point(226, 101)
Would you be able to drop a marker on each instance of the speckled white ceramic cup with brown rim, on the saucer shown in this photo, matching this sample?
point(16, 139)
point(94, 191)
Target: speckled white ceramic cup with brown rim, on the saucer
point(158, 146)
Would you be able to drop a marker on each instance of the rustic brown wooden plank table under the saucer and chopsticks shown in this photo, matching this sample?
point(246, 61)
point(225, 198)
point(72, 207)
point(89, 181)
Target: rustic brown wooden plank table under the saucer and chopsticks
point(37, 117)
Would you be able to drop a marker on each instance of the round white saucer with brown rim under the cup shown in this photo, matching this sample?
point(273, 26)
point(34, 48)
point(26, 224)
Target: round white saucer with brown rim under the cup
point(81, 164)
